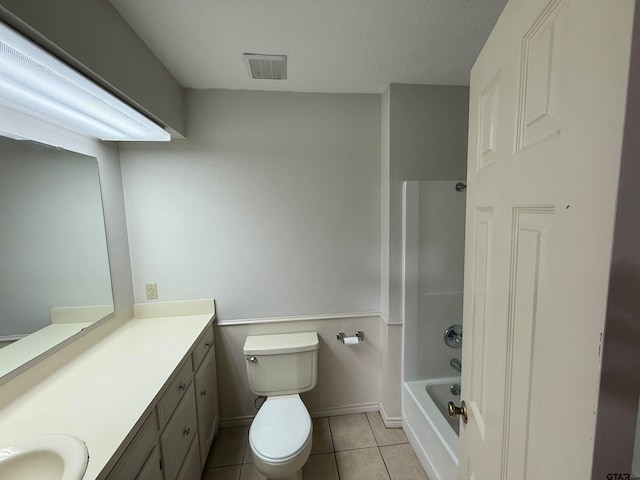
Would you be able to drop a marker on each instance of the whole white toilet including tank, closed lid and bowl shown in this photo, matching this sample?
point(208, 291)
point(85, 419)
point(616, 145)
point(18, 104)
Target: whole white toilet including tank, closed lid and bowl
point(280, 367)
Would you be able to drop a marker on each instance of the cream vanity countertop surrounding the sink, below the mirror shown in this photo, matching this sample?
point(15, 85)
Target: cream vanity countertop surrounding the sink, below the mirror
point(101, 393)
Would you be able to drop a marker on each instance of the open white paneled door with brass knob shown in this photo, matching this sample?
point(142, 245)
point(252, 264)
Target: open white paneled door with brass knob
point(547, 100)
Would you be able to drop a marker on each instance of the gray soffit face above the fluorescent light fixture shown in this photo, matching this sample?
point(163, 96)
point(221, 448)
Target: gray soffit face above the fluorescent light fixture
point(94, 34)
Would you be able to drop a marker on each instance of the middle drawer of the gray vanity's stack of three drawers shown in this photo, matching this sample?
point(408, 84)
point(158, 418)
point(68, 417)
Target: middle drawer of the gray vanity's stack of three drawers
point(177, 437)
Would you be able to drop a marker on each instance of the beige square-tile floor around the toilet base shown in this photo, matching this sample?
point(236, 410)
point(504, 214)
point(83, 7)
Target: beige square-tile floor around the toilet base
point(347, 447)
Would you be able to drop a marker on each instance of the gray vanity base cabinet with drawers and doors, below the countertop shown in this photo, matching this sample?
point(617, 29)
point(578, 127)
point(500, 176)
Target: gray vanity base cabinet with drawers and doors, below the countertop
point(174, 440)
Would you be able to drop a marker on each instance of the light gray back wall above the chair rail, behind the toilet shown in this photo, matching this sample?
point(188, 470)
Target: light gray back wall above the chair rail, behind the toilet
point(271, 205)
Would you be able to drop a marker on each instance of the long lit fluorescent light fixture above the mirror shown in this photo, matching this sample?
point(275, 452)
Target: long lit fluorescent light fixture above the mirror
point(34, 80)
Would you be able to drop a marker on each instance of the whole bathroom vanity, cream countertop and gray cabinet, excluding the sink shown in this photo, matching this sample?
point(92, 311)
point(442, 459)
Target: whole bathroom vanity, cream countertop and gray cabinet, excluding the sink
point(142, 394)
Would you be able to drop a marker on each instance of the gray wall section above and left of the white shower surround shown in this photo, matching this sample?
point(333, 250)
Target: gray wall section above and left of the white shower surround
point(427, 141)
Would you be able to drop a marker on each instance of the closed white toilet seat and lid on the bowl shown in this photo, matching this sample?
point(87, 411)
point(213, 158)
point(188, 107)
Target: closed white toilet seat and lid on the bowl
point(281, 430)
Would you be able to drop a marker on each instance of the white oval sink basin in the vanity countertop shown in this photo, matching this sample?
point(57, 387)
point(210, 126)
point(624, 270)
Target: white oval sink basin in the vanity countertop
point(45, 457)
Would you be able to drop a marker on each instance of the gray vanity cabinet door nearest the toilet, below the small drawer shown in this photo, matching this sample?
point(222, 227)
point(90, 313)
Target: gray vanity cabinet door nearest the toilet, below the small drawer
point(207, 401)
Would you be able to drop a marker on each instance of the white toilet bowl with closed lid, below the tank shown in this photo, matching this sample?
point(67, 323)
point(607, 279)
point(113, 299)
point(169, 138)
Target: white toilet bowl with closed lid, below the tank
point(280, 437)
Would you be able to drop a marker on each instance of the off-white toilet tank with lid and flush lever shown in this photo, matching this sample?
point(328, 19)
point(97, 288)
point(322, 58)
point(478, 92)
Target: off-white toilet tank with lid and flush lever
point(282, 364)
